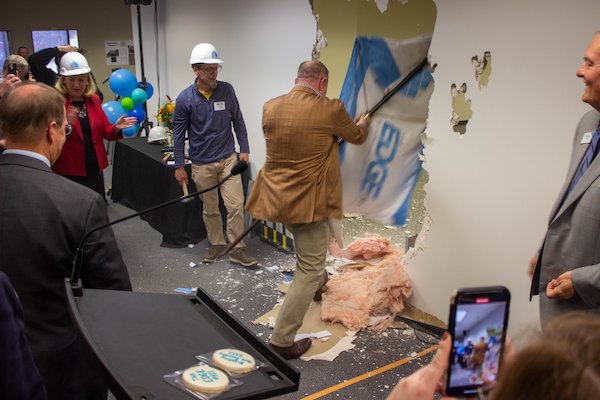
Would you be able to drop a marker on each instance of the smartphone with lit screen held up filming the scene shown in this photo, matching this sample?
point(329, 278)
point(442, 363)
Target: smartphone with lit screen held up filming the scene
point(478, 321)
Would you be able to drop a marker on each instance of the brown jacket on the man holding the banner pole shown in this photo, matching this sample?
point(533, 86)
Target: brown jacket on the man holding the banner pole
point(300, 181)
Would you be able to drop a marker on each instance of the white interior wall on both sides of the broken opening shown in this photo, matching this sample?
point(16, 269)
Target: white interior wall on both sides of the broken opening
point(489, 192)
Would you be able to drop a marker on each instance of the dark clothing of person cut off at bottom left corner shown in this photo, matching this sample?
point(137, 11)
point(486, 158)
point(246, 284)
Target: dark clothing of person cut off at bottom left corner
point(19, 377)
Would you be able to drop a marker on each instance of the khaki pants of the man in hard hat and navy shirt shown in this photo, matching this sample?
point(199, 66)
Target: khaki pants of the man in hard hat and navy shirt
point(232, 192)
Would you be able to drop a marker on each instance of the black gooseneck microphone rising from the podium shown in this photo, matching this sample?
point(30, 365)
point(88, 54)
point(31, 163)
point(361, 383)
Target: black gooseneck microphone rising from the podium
point(75, 281)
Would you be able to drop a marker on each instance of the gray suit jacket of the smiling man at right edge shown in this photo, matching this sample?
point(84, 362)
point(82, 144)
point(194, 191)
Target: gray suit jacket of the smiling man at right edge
point(572, 240)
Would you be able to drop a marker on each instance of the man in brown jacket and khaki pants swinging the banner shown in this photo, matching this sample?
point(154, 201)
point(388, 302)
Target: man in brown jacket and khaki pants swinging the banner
point(302, 172)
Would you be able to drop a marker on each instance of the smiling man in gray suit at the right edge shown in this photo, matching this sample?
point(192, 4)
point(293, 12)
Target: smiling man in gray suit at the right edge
point(566, 271)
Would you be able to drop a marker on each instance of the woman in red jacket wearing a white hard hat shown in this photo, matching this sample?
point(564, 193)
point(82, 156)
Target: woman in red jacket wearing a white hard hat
point(83, 157)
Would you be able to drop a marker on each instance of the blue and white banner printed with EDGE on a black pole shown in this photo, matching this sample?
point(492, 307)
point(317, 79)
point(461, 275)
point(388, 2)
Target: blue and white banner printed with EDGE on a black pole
point(379, 176)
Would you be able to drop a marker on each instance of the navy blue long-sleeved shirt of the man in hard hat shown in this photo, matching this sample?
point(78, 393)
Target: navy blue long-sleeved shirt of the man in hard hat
point(208, 124)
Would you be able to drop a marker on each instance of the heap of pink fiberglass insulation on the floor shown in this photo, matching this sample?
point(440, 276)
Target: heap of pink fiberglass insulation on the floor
point(373, 291)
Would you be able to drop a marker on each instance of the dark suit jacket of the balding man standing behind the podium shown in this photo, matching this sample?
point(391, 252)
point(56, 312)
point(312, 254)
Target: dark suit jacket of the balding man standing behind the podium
point(43, 217)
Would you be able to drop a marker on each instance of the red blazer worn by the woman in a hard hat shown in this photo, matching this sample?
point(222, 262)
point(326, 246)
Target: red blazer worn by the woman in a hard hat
point(72, 157)
